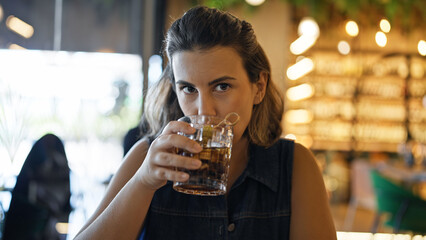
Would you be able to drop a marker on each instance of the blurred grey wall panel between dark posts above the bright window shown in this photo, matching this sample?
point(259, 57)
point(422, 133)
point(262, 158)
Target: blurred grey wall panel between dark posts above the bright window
point(95, 26)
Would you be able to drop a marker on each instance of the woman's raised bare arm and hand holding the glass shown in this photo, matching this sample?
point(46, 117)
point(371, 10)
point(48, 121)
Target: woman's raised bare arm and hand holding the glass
point(123, 209)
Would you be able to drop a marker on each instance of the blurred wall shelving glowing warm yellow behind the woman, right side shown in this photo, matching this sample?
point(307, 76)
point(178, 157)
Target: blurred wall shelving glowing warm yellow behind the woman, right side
point(362, 102)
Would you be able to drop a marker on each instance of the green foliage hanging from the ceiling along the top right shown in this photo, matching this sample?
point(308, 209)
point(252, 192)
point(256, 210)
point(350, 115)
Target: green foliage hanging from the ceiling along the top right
point(406, 13)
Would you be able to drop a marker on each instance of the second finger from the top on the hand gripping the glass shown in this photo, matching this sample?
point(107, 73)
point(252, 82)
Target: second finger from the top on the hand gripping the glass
point(172, 141)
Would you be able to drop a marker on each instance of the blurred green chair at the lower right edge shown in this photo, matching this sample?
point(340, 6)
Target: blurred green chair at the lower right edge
point(405, 210)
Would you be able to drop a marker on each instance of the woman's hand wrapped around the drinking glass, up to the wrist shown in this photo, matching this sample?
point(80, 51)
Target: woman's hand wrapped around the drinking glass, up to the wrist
point(161, 160)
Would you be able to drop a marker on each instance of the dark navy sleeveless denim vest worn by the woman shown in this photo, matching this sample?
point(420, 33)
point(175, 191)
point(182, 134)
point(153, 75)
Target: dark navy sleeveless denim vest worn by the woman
point(257, 207)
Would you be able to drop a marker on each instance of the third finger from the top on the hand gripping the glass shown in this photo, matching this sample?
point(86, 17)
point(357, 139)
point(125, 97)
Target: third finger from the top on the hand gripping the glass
point(174, 160)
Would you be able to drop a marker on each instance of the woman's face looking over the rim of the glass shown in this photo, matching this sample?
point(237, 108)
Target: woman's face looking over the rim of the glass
point(214, 82)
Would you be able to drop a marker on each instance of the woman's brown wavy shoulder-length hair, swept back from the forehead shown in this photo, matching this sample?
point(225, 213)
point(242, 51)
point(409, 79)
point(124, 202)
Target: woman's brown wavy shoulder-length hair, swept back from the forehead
point(203, 28)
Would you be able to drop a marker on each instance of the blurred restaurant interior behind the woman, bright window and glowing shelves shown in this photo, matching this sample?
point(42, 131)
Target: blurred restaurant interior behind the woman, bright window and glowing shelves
point(353, 74)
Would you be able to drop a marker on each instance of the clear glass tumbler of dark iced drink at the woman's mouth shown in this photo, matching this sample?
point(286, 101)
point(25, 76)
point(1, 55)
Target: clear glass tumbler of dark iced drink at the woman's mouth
point(215, 136)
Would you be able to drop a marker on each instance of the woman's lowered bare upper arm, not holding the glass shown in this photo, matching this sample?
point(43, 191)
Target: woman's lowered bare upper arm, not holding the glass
point(310, 211)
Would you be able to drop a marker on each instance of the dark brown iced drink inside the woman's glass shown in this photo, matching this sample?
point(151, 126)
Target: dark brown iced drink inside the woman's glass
point(211, 177)
